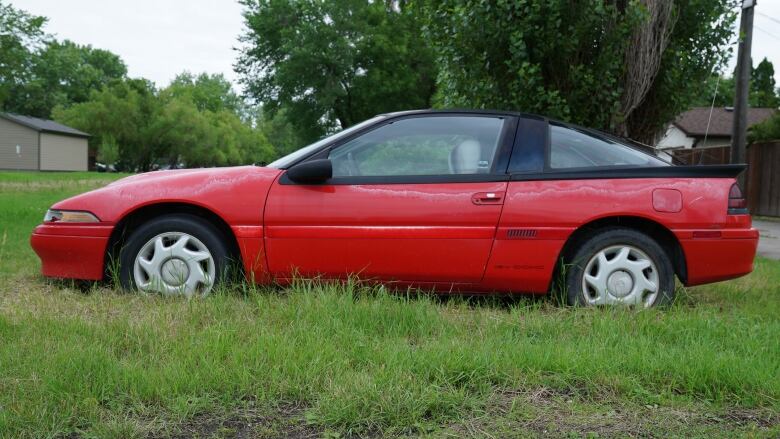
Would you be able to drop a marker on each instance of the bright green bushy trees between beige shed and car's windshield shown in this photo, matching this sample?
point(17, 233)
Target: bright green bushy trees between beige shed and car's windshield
point(189, 124)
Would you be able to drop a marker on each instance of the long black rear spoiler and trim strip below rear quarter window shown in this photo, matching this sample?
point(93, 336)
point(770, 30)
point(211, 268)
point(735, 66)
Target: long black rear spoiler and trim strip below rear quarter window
point(687, 171)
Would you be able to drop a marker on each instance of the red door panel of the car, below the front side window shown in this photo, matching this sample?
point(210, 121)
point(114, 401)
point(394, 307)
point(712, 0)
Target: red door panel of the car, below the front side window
point(410, 232)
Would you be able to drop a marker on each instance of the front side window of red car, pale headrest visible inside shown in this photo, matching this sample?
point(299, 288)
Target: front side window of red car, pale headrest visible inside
point(440, 145)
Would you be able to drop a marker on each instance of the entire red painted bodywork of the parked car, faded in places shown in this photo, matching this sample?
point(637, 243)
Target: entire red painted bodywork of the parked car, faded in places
point(443, 236)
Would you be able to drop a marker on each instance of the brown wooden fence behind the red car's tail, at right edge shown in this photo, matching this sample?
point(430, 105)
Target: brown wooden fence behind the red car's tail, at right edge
point(763, 175)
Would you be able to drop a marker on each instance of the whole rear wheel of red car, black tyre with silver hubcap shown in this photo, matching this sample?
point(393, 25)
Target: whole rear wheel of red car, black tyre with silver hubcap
point(619, 266)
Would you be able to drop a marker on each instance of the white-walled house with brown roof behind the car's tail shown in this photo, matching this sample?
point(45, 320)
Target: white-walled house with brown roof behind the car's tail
point(696, 129)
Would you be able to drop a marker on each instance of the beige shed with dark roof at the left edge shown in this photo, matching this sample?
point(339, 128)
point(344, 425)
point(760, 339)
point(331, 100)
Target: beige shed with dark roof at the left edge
point(29, 143)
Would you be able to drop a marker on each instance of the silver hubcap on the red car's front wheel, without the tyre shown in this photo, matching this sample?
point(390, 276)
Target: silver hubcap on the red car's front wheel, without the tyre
point(174, 263)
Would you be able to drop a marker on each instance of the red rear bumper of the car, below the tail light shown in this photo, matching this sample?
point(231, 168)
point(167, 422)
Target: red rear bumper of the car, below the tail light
point(713, 256)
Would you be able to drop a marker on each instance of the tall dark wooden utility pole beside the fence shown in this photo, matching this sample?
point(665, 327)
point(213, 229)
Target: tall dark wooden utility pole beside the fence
point(744, 64)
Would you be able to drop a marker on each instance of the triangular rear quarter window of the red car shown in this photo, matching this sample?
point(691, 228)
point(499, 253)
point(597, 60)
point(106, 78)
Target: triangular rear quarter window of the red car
point(572, 148)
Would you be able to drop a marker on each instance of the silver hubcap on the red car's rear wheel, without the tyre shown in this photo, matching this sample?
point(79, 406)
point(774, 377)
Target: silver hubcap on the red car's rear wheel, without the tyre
point(620, 274)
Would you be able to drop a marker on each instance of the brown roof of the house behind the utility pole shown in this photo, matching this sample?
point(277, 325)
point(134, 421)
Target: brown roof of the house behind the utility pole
point(694, 121)
